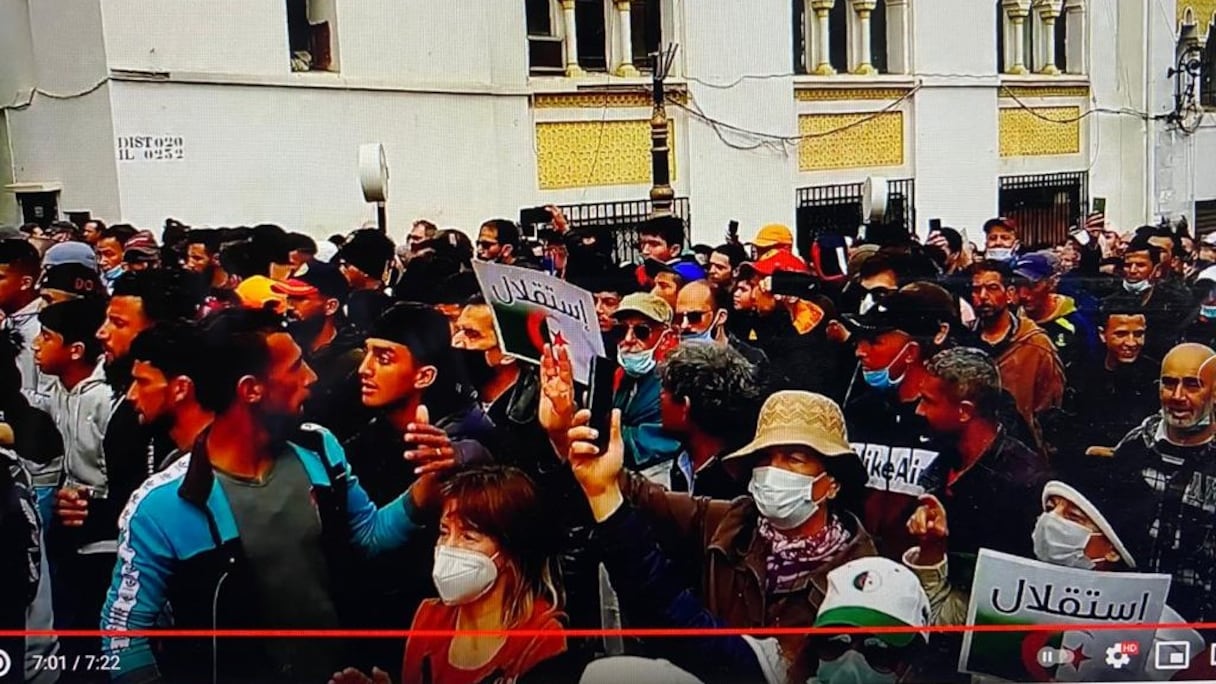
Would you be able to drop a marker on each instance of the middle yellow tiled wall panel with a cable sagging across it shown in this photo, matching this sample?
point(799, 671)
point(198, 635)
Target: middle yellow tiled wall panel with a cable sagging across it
point(879, 142)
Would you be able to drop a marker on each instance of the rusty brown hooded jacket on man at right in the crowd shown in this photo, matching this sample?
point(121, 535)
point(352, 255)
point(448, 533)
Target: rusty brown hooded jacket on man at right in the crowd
point(1031, 371)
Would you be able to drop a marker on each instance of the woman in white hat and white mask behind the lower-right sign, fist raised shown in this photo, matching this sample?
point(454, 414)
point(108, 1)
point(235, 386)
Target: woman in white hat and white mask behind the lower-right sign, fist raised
point(1073, 531)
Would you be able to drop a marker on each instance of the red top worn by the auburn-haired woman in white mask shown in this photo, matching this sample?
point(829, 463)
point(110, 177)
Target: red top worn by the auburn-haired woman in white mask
point(426, 659)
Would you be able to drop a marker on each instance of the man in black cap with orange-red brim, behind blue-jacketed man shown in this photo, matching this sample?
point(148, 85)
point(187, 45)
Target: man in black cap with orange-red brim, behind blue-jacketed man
point(316, 298)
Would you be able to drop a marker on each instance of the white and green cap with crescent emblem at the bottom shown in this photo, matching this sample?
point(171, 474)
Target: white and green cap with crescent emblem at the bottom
point(876, 592)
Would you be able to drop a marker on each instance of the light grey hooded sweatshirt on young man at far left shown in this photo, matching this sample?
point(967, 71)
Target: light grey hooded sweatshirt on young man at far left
point(82, 416)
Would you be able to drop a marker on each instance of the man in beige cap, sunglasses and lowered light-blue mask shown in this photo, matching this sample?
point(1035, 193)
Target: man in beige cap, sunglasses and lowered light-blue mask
point(644, 322)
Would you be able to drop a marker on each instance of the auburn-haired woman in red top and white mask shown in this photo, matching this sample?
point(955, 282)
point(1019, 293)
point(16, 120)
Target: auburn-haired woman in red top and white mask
point(493, 573)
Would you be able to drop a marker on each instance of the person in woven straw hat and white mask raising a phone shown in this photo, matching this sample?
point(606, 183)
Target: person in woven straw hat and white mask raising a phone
point(759, 562)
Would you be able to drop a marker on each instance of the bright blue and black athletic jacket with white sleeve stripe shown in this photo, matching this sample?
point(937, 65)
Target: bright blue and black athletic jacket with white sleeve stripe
point(179, 547)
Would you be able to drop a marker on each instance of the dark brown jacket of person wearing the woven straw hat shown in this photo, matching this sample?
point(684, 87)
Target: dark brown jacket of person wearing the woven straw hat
point(724, 558)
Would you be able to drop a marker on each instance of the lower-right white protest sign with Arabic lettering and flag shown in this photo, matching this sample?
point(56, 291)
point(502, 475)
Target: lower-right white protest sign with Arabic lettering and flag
point(1015, 591)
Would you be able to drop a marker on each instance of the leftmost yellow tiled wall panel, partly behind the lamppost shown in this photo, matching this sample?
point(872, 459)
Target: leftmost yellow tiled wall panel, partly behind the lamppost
point(590, 154)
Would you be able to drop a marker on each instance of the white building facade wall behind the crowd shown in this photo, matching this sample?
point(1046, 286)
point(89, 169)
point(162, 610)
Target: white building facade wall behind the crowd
point(446, 88)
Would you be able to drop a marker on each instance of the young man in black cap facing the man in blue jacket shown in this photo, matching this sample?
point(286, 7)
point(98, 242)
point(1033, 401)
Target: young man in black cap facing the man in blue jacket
point(409, 371)
